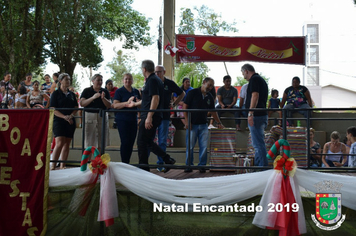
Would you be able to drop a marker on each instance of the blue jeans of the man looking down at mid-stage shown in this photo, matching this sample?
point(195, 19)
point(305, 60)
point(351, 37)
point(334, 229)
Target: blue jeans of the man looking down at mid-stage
point(200, 132)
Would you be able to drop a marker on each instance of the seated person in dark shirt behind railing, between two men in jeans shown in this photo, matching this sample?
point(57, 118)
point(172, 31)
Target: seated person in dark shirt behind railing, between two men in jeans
point(227, 98)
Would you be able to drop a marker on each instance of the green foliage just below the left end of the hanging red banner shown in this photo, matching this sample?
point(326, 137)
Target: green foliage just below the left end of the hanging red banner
point(196, 72)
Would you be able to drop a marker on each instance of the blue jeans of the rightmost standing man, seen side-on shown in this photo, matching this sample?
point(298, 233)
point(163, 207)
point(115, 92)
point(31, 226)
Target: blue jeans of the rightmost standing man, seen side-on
point(258, 139)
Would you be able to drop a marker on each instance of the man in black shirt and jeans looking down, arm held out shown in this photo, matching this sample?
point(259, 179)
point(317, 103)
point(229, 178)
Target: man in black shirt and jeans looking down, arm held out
point(199, 98)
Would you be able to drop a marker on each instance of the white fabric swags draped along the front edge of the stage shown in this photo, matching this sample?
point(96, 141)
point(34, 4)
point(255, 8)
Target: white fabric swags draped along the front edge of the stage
point(209, 191)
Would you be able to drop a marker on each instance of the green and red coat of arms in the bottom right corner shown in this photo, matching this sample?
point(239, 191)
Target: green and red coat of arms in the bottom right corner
point(328, 211)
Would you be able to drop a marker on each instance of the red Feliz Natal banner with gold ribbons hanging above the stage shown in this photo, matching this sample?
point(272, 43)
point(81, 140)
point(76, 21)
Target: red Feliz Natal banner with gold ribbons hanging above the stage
point(196, 48)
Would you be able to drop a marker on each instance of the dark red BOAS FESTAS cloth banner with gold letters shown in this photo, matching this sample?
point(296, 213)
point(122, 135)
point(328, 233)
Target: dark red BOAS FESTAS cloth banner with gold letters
point(25, 138)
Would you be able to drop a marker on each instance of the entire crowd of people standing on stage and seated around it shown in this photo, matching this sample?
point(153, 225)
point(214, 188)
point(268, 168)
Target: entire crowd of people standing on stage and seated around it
point(141, 120)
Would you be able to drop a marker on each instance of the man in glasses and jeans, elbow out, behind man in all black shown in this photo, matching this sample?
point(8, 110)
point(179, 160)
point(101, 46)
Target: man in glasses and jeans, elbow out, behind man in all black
point(169, 87)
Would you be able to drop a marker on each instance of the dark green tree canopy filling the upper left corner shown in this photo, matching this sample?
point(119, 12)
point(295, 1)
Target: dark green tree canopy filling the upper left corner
point(65, 31)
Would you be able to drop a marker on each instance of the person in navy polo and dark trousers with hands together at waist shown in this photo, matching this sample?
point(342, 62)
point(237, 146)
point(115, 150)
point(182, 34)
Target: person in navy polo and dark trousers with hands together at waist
point(126, 121)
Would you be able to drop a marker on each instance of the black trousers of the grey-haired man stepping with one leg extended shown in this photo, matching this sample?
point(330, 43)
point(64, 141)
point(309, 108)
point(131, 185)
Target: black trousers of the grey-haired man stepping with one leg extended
point(145, 142)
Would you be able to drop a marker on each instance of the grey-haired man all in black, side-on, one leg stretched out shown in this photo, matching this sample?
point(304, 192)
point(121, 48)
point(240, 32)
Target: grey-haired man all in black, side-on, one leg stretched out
point(152, 99)
